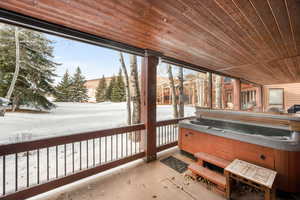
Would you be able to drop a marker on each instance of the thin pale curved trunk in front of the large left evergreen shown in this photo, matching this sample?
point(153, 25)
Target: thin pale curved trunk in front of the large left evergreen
point(17, 69)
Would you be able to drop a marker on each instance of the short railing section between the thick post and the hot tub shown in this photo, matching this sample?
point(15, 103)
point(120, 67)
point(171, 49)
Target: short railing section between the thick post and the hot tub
point(167, 133)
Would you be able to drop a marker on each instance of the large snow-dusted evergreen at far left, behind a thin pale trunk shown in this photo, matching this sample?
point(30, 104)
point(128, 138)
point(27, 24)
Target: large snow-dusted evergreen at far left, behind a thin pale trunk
point(35, 78)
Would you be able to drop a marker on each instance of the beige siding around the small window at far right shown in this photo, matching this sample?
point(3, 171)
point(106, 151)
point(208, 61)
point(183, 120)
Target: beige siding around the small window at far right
point(291, 94)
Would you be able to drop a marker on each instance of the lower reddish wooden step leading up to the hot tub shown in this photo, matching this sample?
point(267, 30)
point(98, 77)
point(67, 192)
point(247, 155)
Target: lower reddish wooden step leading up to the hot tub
point(210, 175)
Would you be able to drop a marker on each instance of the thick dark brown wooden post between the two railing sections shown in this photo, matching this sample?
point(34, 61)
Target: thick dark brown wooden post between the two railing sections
point(148, 104)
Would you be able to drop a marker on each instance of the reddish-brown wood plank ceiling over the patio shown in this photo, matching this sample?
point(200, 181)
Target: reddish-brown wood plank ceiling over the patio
point(257, 40)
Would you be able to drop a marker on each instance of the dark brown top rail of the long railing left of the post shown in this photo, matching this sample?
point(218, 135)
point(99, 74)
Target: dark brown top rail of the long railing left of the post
point(19, 147)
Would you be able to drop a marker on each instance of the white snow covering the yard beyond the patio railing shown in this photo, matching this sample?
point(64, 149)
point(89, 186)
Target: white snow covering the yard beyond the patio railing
point(68, 118)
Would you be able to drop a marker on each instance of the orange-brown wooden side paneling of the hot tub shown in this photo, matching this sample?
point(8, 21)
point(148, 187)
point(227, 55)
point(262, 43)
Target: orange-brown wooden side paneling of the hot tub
point(285, 163)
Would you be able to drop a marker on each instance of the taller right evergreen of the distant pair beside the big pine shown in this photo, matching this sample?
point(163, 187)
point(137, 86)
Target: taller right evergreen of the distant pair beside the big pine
point(78, 89)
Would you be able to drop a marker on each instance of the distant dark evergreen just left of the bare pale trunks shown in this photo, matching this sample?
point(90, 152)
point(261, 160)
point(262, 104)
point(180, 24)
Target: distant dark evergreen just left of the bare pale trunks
point(118, 90)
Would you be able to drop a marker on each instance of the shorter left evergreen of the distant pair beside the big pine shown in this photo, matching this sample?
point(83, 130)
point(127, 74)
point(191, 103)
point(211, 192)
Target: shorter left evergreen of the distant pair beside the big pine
point(63, 89)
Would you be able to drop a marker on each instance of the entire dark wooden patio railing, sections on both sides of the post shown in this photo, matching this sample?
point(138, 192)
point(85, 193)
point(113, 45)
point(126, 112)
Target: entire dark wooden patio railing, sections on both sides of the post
point(33, 167)
